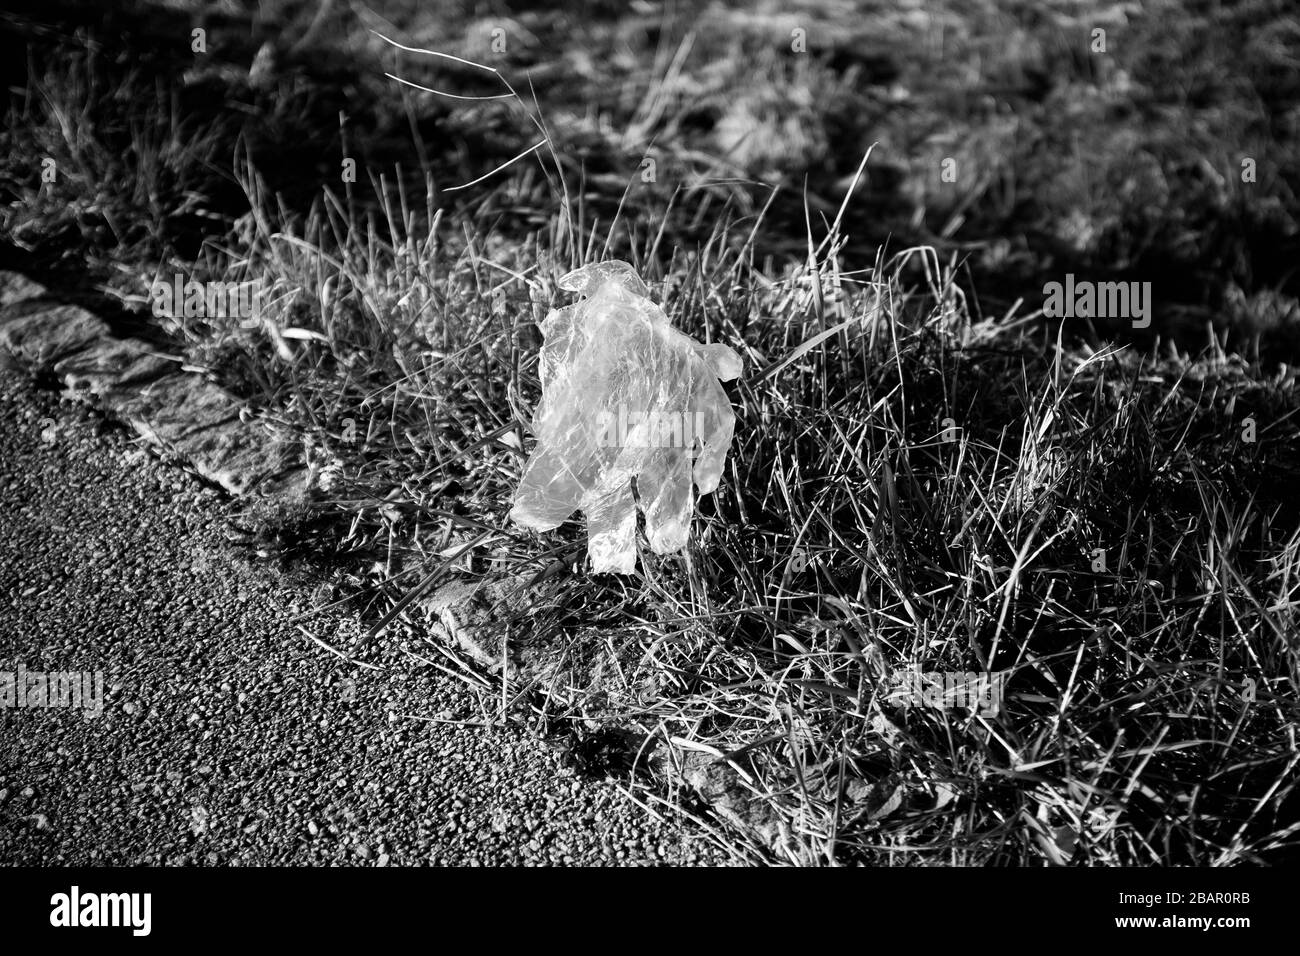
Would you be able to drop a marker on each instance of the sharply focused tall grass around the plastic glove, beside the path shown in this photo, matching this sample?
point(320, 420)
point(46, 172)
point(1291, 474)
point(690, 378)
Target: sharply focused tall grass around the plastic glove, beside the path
point(851, 540)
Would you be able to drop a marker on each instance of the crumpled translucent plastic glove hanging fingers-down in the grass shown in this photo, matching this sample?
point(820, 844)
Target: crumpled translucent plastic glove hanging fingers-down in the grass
point(625, 396)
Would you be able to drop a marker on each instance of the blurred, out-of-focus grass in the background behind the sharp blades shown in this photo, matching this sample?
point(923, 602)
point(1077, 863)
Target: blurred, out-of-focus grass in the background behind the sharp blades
point(1119, 165)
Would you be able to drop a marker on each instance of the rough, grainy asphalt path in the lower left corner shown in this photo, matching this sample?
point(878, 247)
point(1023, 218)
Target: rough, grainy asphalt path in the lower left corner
point(228, 737)
